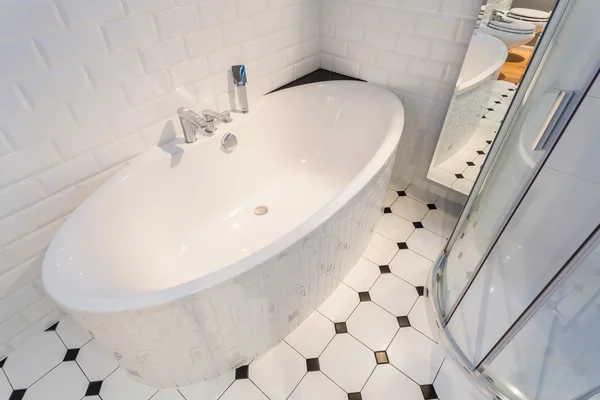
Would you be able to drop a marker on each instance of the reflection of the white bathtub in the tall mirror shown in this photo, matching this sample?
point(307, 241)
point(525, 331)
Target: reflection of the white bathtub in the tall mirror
point(485, 56)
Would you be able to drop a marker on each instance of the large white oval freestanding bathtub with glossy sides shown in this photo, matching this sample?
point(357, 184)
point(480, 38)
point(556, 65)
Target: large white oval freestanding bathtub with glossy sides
point(170, 268)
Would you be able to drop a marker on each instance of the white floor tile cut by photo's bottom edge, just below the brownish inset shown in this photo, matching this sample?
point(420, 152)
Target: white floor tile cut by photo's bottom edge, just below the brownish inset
point(387, 383)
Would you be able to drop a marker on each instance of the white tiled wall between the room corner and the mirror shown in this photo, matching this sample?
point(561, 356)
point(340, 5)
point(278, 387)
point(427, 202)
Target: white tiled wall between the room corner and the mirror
point(413, 47)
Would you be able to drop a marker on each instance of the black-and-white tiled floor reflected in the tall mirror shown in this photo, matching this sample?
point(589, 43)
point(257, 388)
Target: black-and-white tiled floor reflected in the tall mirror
point(460, 171)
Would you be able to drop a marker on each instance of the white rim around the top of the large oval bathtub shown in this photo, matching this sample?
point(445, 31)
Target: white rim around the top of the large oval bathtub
point(75, 302)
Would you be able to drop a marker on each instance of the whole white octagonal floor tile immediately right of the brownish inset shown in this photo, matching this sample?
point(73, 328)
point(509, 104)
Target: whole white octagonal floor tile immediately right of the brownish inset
point(416, 355)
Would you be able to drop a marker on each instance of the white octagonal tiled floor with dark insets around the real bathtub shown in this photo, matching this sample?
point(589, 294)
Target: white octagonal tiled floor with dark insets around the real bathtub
point(370, 340)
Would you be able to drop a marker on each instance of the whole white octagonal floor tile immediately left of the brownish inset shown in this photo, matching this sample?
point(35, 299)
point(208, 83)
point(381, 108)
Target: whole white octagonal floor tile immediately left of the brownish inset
point(347, 362)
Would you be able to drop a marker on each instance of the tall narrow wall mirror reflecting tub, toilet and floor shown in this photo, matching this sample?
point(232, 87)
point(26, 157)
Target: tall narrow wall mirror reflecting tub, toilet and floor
point(503, 41)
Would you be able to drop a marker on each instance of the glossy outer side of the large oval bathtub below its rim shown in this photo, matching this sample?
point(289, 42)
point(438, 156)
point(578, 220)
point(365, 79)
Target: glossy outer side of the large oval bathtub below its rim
point(206, 334)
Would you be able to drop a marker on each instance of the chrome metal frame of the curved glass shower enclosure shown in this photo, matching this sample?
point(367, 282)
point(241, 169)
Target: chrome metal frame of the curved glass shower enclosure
point(557, 125)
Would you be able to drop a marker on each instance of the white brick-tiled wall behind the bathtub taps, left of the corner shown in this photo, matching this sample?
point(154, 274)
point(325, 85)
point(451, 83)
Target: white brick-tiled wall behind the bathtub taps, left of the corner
point(87, 85)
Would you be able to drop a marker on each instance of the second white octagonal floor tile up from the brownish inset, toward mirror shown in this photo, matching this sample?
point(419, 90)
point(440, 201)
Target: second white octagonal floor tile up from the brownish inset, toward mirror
point(394, 294)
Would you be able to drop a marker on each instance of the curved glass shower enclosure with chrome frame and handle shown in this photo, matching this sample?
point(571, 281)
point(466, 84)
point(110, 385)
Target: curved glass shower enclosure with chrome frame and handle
point(515, 295)
